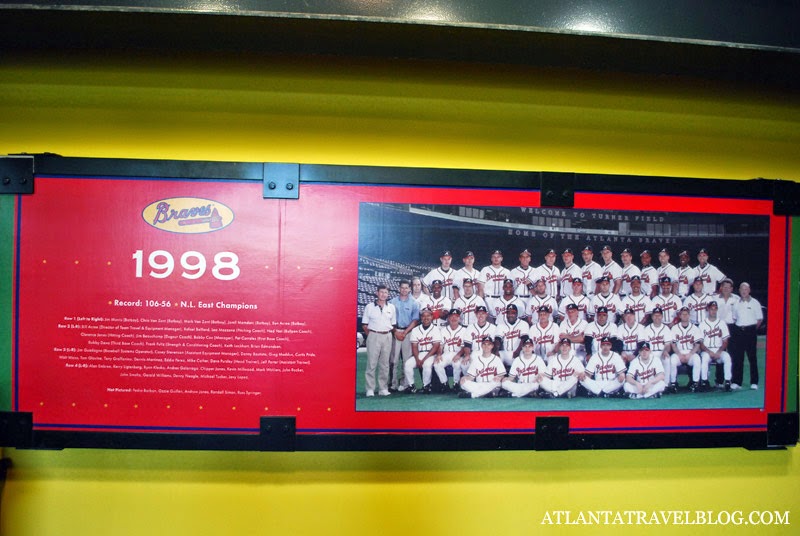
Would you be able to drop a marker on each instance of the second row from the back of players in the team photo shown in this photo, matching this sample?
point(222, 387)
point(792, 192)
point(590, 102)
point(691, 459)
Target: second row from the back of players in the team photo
point(528, 308)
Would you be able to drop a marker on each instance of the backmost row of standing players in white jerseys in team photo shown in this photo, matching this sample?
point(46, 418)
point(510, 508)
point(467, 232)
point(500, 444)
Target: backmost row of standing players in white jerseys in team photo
point(490, 280)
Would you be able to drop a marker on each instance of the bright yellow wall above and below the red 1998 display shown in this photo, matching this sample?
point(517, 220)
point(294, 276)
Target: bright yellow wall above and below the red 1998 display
point(397, 114)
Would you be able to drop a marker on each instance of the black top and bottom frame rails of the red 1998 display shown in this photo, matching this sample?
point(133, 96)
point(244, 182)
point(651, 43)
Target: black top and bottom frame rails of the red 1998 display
point(279, 433)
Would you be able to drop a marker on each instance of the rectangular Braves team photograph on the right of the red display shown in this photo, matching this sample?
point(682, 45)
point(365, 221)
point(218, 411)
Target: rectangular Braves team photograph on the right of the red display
point(464, 308)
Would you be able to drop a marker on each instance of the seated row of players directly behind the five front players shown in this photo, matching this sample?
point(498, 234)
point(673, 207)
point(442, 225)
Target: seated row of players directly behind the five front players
point(435, 348)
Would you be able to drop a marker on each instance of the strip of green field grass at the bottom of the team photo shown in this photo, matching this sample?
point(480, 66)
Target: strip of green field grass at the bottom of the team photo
point(715, 399)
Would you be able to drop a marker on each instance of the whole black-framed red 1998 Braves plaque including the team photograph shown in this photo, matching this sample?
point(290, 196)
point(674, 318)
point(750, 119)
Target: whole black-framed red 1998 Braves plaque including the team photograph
point(307, 307)
